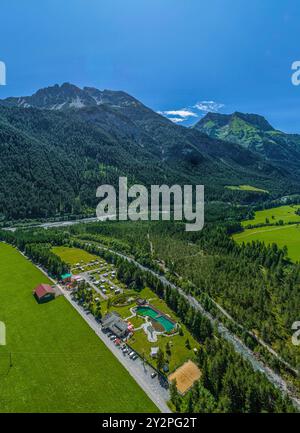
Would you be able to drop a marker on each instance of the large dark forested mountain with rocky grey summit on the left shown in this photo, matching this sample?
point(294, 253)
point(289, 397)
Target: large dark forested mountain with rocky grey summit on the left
point(59, 145)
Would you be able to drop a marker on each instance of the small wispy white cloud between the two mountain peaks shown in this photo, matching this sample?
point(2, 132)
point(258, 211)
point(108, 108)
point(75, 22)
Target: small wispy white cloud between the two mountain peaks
point(197, 110)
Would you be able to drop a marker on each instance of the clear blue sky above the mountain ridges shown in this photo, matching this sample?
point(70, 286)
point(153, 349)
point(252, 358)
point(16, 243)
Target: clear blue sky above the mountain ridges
point(170, 54)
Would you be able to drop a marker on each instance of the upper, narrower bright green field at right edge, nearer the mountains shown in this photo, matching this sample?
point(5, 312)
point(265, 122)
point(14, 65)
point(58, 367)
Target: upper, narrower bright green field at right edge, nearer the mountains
point(284, 213)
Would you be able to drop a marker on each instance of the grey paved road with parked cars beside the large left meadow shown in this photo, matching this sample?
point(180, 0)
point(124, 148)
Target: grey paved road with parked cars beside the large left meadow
point(140, 372)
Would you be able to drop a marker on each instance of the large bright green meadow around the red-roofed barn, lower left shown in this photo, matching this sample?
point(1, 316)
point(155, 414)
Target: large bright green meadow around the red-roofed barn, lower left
point(58, 363)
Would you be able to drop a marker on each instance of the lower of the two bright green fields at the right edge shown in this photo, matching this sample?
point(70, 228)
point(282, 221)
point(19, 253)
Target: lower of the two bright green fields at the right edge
point(288, 235)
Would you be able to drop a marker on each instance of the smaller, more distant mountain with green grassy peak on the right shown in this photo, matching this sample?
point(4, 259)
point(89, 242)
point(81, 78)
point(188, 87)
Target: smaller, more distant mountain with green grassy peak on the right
point(253, 132)
